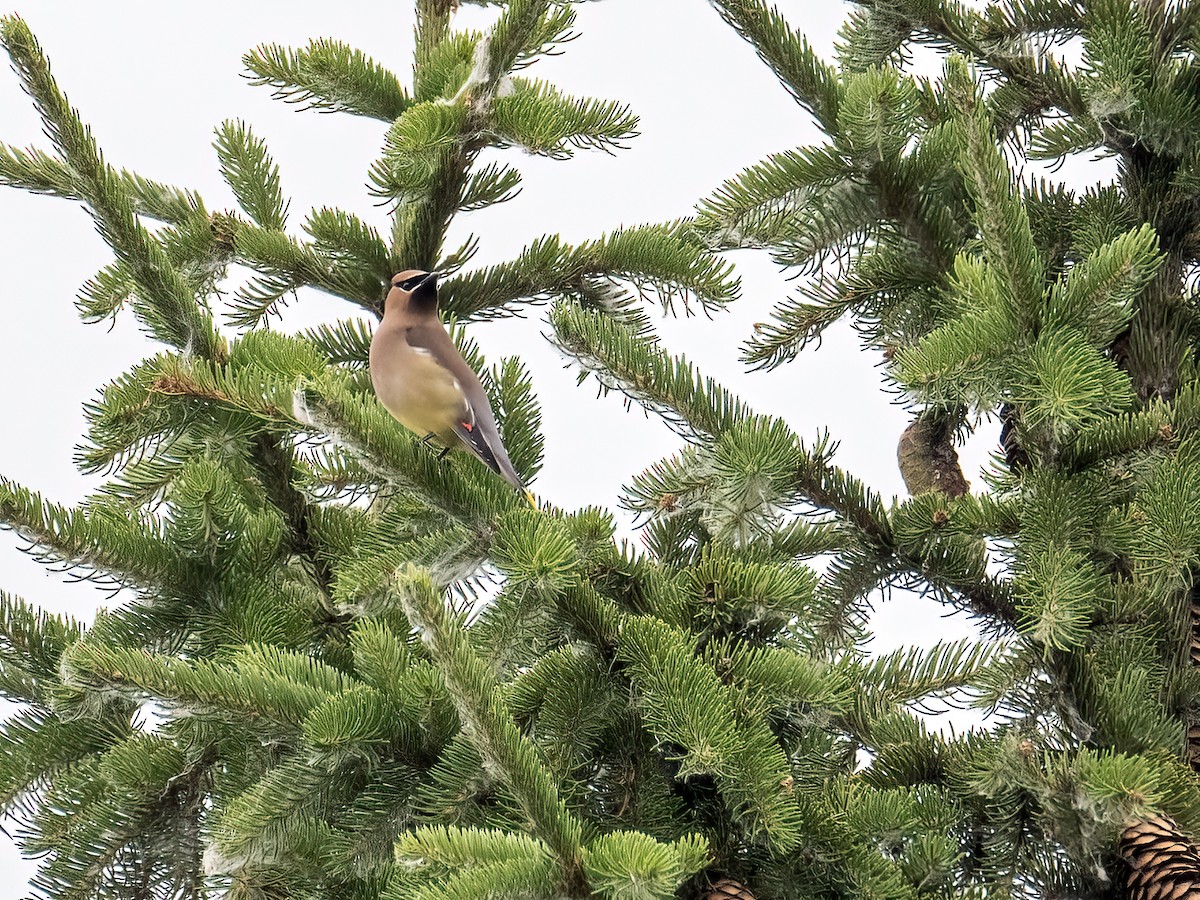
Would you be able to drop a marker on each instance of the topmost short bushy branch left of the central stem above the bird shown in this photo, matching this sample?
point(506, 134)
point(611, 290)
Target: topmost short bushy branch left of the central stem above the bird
point(329, 76)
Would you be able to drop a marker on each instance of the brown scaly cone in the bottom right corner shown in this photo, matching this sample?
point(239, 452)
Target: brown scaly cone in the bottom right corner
point(1165, 865)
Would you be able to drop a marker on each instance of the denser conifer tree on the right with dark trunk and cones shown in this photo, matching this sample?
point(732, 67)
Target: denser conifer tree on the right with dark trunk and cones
point(998, 291)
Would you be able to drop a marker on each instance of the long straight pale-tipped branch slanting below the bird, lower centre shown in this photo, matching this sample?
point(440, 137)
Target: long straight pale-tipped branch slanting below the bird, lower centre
point(489, 724)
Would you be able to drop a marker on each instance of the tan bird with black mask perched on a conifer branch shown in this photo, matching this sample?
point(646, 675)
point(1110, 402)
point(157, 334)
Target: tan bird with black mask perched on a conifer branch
point(423, 381)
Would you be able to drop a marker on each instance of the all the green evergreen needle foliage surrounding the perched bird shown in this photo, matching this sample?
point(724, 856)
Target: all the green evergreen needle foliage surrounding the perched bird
point(351, 669)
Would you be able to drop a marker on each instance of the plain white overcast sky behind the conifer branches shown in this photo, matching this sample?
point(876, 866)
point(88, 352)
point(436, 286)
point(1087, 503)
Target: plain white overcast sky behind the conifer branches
point(154, 80)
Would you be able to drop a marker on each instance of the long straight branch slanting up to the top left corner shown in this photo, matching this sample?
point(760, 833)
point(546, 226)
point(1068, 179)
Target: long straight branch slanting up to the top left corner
point(170, 309)
